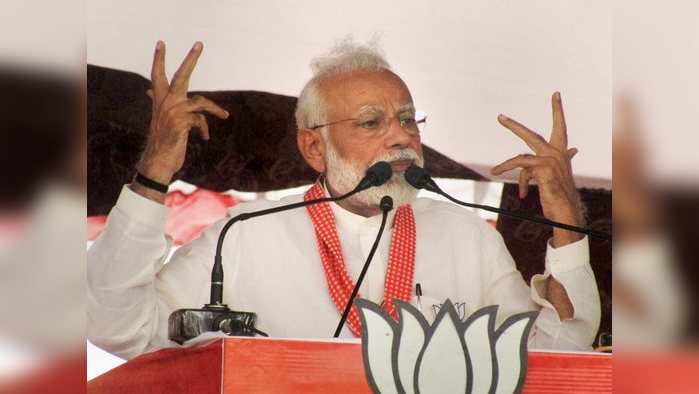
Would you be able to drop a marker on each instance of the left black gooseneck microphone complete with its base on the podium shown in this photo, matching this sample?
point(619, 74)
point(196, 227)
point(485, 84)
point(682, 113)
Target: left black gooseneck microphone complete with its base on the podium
point(185, 324)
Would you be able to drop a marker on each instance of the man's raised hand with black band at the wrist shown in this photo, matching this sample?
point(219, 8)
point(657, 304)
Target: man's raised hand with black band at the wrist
point(173, 116)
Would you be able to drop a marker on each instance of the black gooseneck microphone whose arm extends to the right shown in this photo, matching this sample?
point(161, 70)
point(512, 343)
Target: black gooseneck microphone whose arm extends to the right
point(420, 179)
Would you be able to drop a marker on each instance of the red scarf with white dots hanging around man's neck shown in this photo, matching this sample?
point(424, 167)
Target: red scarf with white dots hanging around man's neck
point(401, 261)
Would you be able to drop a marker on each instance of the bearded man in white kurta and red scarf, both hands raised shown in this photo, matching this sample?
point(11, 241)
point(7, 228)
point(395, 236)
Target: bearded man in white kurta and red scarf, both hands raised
point(296, 269)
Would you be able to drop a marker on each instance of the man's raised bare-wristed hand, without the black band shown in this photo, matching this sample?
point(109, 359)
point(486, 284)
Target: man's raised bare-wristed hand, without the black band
point(550, 167)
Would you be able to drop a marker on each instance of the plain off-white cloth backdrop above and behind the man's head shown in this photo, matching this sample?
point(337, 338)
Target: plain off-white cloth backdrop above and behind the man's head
point(465, 61)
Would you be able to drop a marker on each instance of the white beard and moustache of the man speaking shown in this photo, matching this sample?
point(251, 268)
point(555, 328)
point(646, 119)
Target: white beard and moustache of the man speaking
point(344, 176)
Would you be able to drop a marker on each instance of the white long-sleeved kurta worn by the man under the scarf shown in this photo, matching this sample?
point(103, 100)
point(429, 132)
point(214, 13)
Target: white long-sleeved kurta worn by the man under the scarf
point(272, 267)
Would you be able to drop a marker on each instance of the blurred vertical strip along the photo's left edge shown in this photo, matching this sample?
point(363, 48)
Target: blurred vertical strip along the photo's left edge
point(42, 196)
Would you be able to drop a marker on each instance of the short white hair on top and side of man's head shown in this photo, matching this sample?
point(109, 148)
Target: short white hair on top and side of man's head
point(345, 57)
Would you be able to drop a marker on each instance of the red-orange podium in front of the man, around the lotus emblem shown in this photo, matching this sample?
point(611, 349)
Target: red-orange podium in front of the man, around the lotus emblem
point(260, 365)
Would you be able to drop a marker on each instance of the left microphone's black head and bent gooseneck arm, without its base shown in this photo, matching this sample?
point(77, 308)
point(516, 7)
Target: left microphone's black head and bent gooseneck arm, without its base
point(376, 175)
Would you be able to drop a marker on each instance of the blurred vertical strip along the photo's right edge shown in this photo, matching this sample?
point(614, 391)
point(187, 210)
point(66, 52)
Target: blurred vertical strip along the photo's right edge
point(656, 198)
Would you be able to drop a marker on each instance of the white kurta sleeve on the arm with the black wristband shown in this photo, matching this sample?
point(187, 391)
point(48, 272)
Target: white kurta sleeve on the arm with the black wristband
point(131, 291)
